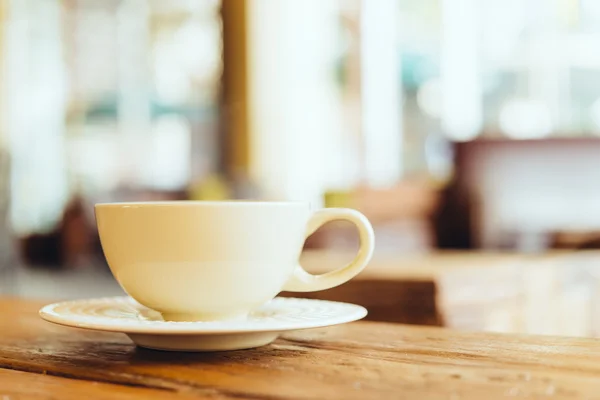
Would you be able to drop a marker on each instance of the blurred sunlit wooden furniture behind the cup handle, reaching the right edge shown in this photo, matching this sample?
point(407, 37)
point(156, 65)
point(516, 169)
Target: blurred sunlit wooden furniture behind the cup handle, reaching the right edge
point(554, 293)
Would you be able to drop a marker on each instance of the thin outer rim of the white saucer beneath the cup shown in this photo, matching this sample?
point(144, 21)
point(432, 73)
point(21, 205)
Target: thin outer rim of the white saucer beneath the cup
point(48, 313)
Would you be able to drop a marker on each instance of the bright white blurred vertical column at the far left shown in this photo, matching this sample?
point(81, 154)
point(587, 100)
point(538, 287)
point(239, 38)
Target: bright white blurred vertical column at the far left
point(34, 105)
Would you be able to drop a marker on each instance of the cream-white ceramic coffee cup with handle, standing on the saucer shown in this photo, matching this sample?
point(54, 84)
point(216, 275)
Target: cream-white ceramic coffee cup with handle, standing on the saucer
point(205, 260)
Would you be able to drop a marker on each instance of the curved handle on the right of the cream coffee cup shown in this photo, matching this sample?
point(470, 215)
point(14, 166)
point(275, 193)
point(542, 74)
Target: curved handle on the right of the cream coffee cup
point(302, 281)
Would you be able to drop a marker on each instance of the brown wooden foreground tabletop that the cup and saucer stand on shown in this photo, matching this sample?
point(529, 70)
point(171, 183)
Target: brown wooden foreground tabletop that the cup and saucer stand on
point(362, 360)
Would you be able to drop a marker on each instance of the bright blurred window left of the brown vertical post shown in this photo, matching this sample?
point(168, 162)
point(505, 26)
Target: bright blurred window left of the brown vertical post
point(103, 95)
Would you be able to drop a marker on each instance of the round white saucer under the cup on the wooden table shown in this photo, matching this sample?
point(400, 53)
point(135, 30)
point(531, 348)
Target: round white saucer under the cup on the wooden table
point(146, 328)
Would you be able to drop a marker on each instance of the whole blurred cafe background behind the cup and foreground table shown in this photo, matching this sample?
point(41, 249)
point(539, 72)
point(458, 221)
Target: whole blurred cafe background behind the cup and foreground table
point(467, 131)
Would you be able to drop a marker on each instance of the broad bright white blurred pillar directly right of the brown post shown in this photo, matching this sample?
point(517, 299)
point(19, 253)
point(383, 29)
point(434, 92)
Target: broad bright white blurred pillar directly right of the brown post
point(294, 113)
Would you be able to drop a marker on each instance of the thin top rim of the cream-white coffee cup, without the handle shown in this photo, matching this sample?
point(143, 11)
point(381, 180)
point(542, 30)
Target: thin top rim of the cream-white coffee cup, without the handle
point(191, 203)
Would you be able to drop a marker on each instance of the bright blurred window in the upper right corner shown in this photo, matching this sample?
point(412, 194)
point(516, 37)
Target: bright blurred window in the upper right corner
point(500, 68)
